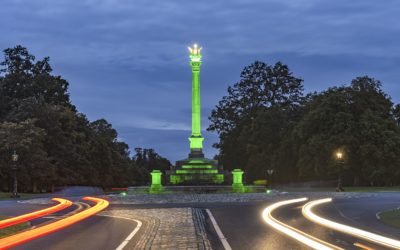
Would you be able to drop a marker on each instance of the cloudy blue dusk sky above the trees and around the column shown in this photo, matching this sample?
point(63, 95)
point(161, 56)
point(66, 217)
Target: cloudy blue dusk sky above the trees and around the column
point(127, 61)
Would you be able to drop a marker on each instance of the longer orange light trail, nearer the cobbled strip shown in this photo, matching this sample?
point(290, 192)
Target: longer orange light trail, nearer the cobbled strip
point(25, 236)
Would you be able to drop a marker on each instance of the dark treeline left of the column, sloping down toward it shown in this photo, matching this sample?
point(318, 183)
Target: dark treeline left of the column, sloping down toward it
point(57, 145)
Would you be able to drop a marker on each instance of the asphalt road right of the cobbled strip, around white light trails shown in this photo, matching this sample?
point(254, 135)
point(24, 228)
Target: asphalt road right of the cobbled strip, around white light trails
point(244, 227)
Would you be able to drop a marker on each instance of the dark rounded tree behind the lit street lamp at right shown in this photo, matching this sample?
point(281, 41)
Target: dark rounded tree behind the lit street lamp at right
point(357, 119)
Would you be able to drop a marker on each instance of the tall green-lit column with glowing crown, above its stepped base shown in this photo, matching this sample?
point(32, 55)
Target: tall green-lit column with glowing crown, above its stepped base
point(196, 140)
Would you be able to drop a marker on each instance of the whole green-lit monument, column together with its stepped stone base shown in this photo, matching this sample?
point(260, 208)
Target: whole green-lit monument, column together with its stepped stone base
point(196, 169)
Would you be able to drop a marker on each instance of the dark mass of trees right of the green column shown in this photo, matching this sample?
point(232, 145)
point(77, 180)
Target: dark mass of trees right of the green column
point(267, 122)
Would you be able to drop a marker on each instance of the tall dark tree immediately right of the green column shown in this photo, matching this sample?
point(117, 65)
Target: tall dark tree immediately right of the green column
point(254, 117)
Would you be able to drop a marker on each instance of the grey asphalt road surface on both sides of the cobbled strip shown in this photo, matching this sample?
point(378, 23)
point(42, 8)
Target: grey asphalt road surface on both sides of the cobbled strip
point(241, 224)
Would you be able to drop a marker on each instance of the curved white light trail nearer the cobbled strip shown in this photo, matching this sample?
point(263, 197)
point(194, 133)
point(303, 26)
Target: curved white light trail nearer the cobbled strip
point(294, 233)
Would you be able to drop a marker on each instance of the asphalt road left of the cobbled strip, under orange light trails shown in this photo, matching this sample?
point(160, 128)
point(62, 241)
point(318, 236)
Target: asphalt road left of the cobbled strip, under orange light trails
point(97, 232)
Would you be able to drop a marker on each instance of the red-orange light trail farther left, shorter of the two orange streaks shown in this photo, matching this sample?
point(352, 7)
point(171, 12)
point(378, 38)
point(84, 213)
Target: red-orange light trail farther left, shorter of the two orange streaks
point(37, 214)
